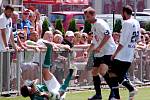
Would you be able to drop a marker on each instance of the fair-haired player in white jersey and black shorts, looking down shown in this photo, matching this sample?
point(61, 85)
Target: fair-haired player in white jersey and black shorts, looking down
point(103, 47)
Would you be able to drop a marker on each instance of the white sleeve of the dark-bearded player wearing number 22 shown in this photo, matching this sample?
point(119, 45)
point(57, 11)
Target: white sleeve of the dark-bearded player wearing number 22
point(124, 34)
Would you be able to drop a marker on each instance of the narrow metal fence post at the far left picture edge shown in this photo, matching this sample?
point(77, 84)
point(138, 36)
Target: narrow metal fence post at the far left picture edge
point(1, 72)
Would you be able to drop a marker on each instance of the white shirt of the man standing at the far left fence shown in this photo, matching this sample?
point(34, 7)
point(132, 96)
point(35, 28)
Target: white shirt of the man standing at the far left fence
point(5, 23)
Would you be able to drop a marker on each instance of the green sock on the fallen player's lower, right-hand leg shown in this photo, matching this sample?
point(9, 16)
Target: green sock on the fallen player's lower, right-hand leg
point(67, 80)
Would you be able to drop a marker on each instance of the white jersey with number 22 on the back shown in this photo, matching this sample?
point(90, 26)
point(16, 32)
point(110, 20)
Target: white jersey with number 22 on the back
point(128, 38)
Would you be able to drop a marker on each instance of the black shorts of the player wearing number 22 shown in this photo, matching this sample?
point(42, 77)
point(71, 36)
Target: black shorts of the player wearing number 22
point(120, 67)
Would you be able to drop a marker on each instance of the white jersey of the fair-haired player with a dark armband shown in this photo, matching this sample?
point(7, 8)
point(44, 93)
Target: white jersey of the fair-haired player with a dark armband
point(100, 28)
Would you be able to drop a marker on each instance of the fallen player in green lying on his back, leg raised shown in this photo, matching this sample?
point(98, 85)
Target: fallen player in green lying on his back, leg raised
point(52, 90)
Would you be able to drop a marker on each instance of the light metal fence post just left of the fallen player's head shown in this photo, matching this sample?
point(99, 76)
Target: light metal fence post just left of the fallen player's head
point(18, 72)
